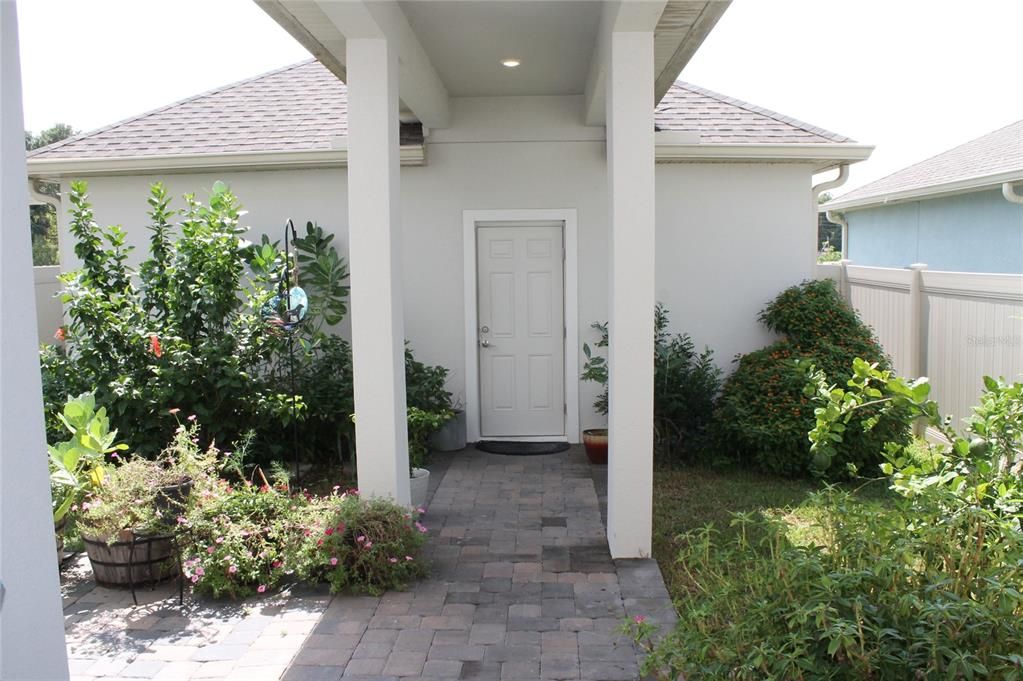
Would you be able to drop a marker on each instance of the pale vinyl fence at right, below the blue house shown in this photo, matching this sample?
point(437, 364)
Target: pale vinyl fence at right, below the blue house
point(954, 328)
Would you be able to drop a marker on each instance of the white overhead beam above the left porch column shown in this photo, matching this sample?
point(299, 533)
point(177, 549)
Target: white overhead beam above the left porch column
point(421, 89)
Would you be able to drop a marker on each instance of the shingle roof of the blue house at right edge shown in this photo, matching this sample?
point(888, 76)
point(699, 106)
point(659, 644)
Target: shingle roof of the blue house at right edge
point(994, 154)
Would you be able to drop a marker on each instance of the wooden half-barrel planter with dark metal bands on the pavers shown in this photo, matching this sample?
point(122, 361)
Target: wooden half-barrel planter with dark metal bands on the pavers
point(140, 561)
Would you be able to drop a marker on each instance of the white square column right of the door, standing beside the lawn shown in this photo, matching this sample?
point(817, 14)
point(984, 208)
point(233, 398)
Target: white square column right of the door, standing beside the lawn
point(631, 356)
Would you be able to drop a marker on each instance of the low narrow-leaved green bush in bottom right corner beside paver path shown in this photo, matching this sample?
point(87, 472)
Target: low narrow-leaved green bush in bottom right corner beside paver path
point(908, 594)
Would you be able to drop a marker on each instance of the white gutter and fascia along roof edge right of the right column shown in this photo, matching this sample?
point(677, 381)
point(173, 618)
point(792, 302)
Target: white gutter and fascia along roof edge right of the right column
point(673, 148)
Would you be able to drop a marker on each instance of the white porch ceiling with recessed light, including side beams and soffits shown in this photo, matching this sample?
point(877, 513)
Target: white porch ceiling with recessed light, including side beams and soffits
point(454, 49)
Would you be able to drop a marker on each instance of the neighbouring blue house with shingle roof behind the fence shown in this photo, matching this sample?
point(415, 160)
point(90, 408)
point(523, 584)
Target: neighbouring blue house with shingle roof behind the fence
point(958, 211)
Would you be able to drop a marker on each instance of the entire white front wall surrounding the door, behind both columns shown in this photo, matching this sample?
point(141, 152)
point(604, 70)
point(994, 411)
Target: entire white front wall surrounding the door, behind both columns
point(730, 237)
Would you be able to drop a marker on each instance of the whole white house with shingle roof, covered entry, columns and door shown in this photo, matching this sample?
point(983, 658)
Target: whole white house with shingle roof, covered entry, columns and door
point(531, 201)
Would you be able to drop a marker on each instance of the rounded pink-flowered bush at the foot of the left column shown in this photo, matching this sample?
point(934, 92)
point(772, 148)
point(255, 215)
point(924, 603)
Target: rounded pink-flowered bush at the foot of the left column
point(363, 544)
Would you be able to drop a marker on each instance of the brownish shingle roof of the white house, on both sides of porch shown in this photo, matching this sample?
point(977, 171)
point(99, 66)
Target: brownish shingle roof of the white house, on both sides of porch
point(304, 108)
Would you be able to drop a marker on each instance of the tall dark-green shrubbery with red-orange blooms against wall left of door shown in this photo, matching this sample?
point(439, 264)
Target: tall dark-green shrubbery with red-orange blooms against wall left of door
point(196, 328)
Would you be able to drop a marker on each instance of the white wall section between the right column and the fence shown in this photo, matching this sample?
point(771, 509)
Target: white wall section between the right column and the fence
point(730, 238)
